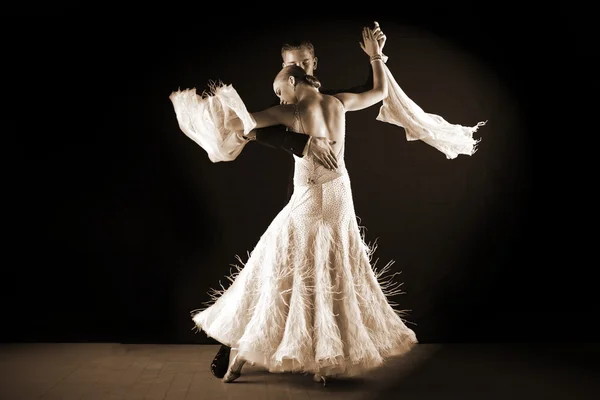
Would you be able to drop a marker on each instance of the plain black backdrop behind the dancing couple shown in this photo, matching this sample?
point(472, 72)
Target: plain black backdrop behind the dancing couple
point(118, 224)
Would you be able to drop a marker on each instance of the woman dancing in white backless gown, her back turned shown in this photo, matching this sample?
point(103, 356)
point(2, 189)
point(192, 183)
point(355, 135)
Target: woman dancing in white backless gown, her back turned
point(308, 298)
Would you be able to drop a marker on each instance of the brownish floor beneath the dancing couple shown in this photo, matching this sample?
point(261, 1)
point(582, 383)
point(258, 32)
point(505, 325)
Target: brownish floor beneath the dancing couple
point(130, 372)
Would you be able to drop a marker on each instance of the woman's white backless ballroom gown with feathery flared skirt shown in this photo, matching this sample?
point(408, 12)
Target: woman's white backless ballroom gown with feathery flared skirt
point(308, 298)
